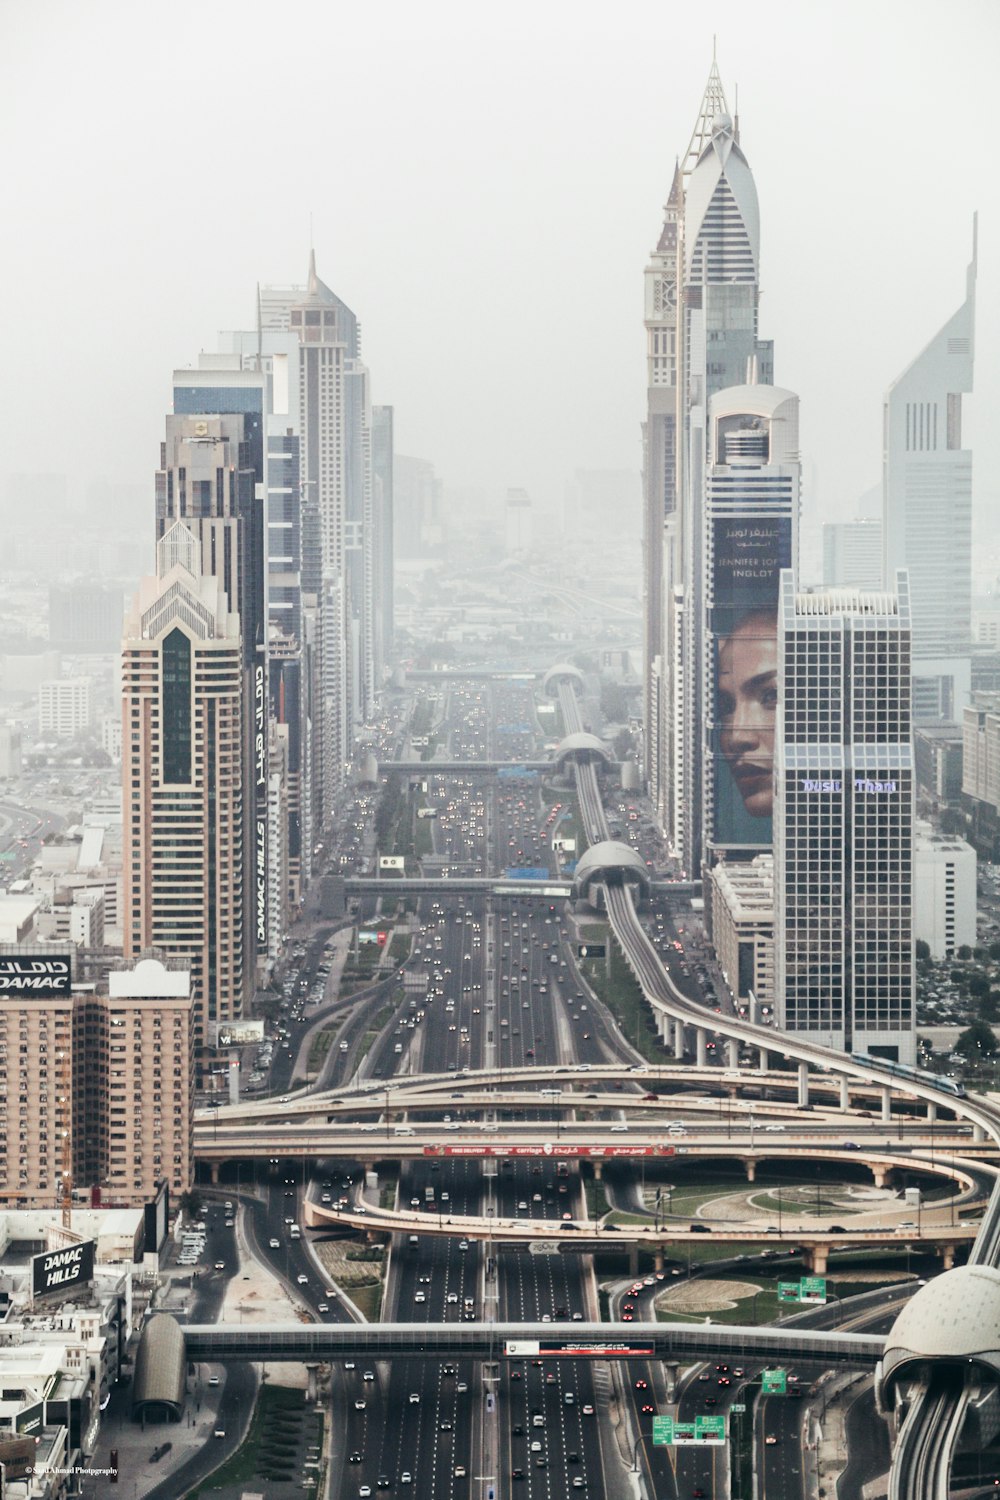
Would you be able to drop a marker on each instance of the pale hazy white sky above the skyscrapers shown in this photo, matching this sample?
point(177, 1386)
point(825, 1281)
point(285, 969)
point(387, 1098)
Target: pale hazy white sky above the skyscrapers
point(485, 185)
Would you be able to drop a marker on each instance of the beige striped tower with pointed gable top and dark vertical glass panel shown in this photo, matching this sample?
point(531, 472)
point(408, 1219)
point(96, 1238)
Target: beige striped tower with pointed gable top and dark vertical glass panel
point(182, 769)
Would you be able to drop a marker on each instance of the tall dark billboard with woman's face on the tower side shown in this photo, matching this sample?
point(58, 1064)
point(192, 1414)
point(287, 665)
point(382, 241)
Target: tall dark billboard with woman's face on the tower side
point(747, 562)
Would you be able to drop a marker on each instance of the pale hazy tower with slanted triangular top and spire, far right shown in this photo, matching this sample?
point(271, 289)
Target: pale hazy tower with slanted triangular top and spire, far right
point(927, 509)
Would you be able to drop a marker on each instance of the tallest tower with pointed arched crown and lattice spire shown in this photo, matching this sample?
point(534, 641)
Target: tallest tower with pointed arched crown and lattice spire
point(702, 298)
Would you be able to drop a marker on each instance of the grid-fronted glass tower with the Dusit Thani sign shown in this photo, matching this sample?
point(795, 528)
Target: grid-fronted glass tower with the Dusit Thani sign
point(845, 805)
